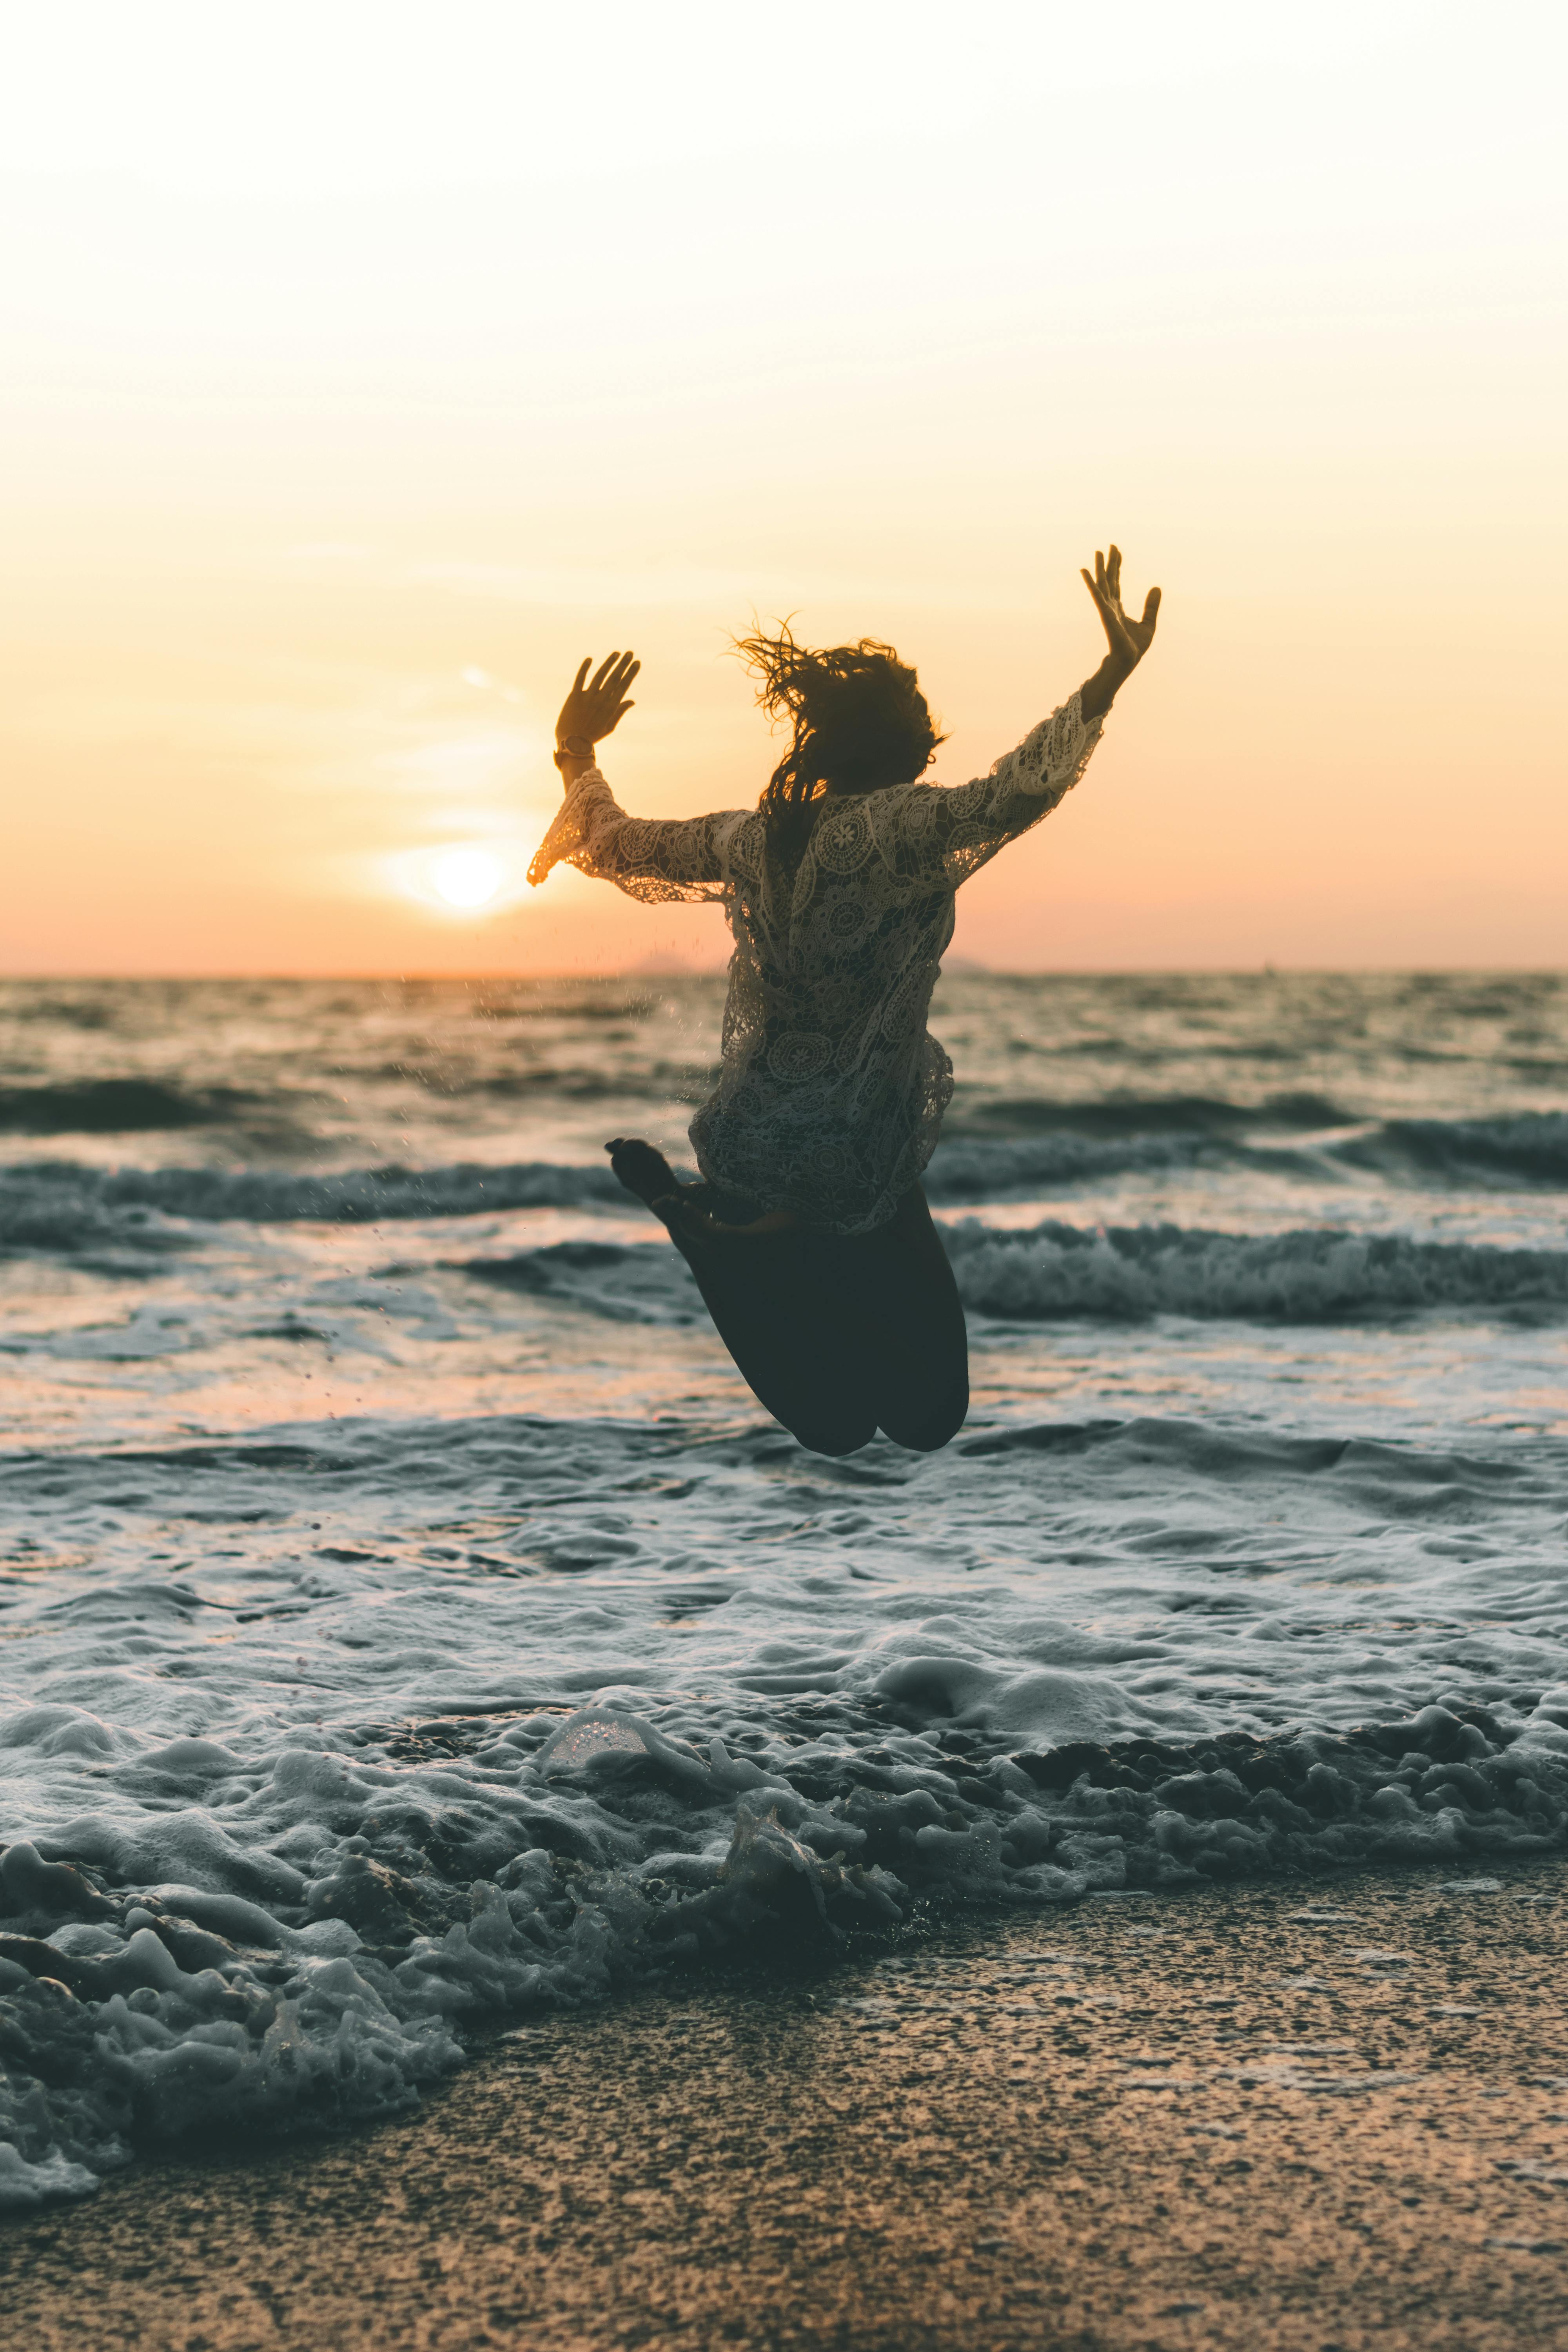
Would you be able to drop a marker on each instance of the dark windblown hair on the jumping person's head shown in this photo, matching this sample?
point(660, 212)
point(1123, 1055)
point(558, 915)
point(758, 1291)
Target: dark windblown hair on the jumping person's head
point(857, 721)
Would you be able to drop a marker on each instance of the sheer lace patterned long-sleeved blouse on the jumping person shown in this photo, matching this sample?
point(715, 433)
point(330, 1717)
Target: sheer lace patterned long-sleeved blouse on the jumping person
point(831, 1093)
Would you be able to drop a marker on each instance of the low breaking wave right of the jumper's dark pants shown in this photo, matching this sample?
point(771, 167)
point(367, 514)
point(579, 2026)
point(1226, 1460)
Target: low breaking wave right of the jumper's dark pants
point(1311, 1276)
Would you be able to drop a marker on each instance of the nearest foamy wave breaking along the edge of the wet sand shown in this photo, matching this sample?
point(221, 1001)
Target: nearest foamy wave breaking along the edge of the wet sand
point(314, 1937)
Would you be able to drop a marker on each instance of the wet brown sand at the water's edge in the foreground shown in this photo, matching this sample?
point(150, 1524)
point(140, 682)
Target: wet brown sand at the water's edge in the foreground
point(1177, 2123)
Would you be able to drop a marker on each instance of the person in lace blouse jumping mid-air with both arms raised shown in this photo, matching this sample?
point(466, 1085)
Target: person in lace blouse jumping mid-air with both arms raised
point(810, 1236)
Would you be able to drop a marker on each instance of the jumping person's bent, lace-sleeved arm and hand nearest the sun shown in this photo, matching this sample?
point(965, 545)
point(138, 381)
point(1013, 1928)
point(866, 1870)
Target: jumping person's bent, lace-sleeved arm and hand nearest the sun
point(645, 857)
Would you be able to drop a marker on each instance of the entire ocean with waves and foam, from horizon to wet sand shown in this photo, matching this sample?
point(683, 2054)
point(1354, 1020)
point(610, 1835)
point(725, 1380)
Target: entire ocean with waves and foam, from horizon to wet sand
point(408, 1617)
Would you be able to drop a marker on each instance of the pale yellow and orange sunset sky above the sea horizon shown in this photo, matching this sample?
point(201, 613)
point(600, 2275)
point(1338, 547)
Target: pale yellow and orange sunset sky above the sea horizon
point(373, 363)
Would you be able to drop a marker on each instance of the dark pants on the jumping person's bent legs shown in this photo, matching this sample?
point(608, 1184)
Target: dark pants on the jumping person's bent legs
point(840, 1335)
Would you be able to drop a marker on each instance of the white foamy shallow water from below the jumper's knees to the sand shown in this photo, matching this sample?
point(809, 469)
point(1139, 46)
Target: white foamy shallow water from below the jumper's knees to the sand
point(671, 1699)
